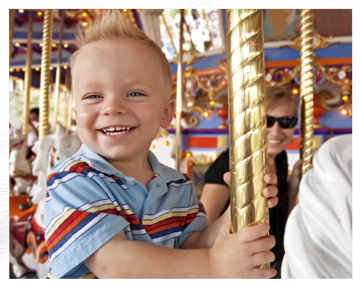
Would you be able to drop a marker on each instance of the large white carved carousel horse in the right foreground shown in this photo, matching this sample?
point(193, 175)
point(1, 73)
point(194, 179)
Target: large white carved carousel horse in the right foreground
point(318, 234)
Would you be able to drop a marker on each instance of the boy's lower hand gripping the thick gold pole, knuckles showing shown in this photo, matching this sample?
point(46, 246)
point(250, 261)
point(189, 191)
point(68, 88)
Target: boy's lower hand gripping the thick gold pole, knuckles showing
point(240, 255)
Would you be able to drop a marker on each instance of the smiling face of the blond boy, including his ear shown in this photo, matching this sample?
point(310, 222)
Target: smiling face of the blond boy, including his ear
point(121, 98)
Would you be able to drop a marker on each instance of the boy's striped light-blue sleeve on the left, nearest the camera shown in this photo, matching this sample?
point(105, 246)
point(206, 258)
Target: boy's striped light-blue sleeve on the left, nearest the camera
point(80, 216)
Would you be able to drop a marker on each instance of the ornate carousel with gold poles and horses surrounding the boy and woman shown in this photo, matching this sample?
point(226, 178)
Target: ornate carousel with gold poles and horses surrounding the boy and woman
point(222, 61)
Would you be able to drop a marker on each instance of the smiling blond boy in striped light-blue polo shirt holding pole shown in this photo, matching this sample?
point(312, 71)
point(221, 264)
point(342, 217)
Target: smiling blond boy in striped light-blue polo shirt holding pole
point(112, 210)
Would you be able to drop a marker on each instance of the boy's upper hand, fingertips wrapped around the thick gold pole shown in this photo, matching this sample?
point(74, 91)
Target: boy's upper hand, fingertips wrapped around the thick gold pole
point(269, 191)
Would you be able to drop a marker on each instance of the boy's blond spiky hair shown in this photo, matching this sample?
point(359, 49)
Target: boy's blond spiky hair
point(113, 25)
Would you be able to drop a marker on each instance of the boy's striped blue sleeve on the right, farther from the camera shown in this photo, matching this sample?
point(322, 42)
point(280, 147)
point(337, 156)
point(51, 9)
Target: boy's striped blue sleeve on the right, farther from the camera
point(195, 219)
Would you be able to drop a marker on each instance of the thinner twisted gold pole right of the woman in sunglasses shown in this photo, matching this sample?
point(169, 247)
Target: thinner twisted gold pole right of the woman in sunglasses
point(306, 88)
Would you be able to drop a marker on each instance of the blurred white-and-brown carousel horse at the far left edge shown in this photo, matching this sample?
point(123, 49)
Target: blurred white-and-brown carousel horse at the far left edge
point(20, 169)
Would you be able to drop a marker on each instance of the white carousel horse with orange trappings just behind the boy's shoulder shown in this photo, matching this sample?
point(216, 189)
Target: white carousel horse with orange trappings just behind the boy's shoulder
point(35, 254)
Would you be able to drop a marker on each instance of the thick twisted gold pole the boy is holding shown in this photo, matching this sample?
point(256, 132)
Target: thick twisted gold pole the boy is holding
point(247, 118)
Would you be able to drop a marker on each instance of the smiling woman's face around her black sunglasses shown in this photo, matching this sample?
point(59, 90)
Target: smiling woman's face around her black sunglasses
point(277, 137)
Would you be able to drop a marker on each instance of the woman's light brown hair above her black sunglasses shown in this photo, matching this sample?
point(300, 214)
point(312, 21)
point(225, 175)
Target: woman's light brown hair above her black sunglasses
point(275, 96)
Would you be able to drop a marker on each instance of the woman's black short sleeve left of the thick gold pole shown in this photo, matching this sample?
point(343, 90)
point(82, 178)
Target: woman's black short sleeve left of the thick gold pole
point(216, 171)
